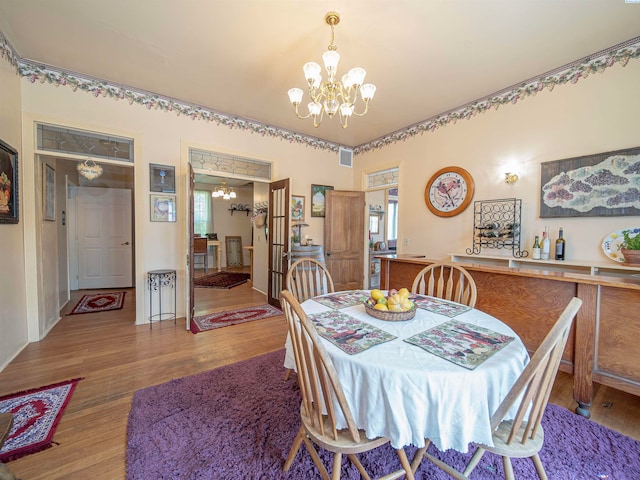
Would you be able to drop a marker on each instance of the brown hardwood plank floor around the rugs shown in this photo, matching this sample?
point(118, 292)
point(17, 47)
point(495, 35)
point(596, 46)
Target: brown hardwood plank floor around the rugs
point(116, 358)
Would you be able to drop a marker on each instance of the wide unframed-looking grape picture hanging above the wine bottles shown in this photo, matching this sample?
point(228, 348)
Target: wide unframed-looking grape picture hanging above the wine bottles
point(603, 184)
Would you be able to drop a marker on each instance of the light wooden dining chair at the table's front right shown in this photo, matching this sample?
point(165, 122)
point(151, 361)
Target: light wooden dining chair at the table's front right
point(522, 436)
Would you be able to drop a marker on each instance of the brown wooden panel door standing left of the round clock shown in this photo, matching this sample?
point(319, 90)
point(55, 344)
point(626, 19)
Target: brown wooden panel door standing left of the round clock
point(344, 238)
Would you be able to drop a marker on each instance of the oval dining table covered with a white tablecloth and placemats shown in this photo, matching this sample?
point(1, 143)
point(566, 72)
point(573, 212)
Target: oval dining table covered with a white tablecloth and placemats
point(437, 376)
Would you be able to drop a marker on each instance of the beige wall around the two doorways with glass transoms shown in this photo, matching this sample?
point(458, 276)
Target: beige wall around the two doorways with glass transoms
point(162, 138)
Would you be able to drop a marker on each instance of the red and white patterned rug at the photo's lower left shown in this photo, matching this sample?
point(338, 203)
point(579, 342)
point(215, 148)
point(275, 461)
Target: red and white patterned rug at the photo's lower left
point(36, 414)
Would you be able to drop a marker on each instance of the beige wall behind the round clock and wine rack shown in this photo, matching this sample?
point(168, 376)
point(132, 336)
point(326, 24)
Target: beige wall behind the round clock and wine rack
point(595, 115)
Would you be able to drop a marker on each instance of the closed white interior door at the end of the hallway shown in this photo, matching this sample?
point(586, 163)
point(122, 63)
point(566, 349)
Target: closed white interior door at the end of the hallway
point(104, 238)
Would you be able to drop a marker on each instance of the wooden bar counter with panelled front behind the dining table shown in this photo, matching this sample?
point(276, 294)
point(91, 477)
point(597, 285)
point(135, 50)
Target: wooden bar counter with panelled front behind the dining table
point(603, 346)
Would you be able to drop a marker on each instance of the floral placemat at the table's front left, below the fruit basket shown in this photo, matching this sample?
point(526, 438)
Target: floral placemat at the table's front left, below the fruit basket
point(347, 333)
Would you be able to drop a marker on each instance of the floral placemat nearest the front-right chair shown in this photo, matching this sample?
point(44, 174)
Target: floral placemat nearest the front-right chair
point(461, 343)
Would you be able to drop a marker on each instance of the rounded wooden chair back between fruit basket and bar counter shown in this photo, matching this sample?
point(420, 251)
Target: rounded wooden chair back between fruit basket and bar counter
point(446, 281)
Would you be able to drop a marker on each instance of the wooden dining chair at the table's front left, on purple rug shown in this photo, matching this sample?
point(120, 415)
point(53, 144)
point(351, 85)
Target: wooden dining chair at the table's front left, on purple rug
point(323, 400)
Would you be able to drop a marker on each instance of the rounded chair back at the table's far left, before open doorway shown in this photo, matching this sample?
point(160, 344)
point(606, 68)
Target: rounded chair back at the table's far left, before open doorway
point(307, 278)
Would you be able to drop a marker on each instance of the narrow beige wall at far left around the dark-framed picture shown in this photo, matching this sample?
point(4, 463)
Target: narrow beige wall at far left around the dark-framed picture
point(13, 314)
